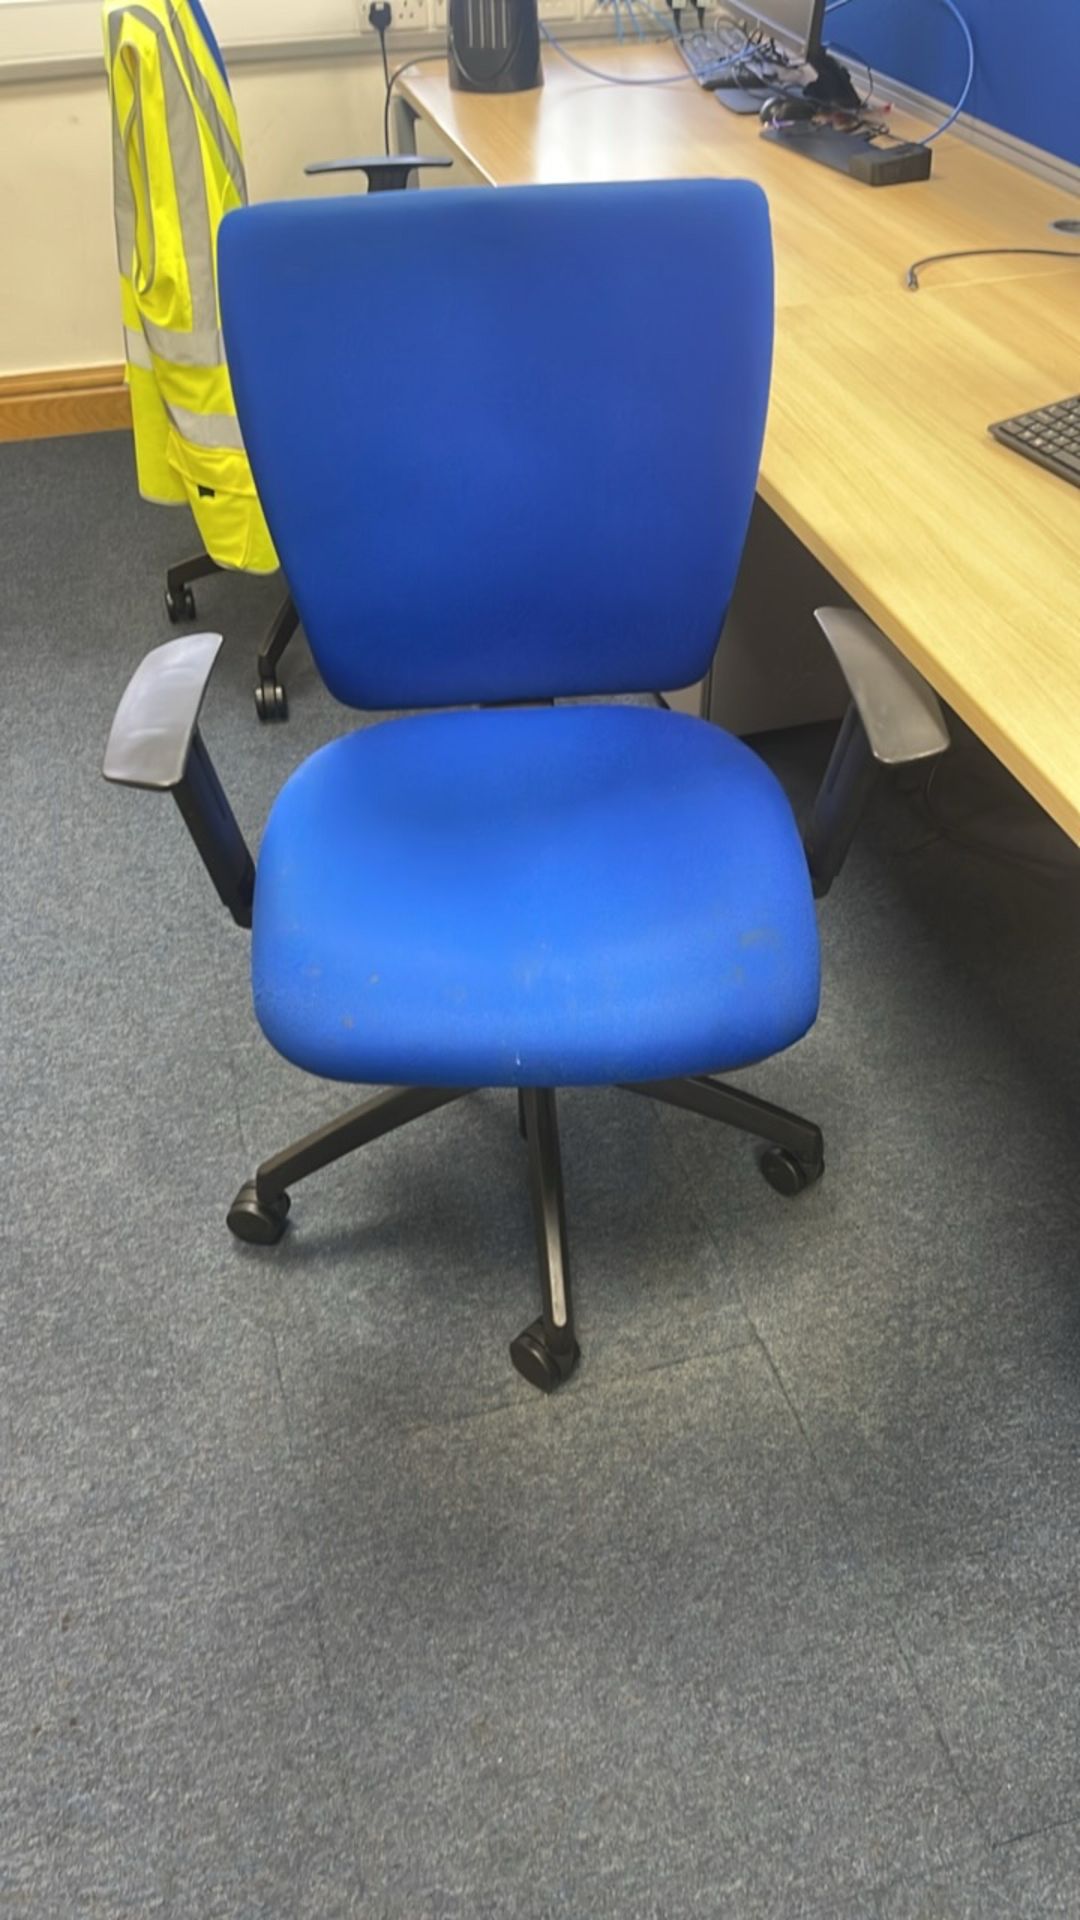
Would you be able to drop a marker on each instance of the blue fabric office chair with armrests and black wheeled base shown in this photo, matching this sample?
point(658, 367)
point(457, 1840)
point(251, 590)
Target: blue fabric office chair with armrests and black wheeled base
point(522, 496)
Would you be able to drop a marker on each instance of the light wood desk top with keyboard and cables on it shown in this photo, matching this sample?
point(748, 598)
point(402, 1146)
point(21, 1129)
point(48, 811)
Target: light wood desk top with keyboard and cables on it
point(877, 452)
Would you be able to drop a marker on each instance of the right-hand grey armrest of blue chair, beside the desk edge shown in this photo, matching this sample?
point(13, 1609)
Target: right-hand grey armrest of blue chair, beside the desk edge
point(893, 721)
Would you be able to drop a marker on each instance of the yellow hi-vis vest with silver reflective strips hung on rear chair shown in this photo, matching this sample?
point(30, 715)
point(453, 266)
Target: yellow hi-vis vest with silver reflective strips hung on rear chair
point(178, 170)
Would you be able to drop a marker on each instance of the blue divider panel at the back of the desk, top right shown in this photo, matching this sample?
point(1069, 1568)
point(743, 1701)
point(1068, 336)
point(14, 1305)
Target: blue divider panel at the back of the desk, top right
point(1027, 76)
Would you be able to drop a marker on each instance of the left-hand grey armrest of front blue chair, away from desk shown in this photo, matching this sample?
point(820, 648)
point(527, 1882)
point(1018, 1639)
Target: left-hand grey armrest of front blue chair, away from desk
point(155, 742)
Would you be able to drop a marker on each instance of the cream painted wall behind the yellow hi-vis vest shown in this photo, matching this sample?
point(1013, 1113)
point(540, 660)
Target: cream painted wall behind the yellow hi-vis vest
point(61, 304)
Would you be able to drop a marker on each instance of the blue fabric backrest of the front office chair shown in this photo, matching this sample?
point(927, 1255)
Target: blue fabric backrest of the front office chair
point(506, 441)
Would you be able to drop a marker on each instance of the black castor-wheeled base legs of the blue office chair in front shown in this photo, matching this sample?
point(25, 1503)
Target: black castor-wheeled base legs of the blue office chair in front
point(547, 1353)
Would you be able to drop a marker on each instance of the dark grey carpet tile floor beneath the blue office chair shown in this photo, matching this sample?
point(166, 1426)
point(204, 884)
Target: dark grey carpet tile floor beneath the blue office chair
point(308, 1606)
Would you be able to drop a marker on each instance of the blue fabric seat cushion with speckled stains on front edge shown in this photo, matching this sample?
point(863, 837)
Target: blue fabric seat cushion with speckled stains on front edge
point(533, 898)
